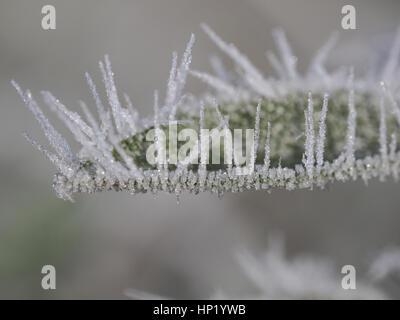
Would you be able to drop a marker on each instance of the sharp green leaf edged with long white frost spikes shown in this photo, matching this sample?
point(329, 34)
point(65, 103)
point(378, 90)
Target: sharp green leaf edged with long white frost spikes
point(309, 129)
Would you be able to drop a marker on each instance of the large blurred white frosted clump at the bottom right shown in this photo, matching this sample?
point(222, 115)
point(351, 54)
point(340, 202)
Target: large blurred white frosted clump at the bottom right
point(275, 276)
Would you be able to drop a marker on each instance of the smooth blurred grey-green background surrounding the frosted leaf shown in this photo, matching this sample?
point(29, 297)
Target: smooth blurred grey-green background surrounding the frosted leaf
point(105, 243)
